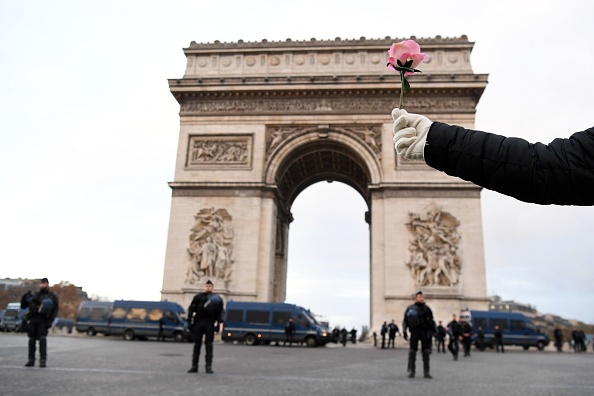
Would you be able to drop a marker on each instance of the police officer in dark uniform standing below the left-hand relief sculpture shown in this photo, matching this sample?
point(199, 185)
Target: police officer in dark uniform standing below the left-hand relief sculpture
point(206, 309)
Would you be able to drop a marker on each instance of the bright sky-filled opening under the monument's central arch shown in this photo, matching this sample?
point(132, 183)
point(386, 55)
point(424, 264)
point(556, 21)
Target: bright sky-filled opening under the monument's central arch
point(328, 255)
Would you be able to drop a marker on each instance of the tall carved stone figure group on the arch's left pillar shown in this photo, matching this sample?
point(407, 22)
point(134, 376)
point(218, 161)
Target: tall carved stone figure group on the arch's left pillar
point(210, 246)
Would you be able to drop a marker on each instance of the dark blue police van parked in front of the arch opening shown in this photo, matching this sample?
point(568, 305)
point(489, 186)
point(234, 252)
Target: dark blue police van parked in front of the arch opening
point(259, 322)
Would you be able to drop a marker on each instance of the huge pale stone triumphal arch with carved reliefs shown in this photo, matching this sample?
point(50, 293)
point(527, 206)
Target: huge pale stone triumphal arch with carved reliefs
point(262, 121)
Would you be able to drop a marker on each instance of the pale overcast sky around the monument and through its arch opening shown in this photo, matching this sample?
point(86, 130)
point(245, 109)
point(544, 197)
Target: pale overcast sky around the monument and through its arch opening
point(89, 135)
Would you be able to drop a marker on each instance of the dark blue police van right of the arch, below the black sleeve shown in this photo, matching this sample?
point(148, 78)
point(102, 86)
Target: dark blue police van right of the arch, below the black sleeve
point(516, 327)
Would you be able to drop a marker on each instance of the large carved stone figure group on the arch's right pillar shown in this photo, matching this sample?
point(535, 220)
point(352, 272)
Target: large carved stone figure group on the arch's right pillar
point(434, 259)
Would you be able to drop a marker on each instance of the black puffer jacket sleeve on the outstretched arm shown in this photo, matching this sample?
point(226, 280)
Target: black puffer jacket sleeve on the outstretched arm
point(560, 173)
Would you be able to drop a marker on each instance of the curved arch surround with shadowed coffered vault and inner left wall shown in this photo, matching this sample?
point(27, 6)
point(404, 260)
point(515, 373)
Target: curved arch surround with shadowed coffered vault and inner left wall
point(312, 155)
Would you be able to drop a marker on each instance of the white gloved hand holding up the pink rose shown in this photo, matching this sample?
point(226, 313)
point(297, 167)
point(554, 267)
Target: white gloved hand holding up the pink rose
point(410, 133)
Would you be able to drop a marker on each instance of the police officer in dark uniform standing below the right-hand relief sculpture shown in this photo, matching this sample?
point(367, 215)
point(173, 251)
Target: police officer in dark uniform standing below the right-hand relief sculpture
point(419, 319)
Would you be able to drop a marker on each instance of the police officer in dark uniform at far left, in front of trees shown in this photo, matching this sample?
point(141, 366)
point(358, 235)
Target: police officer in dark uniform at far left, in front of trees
point(43, 309)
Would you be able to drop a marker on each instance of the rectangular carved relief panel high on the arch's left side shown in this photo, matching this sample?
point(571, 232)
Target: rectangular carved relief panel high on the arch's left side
point(206, 150)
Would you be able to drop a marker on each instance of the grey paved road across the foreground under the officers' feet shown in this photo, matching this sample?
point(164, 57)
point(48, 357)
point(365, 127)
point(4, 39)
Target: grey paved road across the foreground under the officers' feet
point(80, 365)
